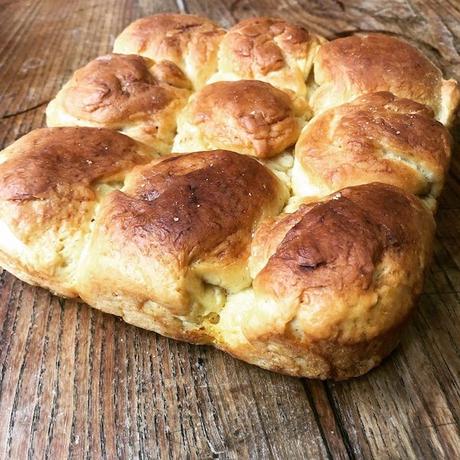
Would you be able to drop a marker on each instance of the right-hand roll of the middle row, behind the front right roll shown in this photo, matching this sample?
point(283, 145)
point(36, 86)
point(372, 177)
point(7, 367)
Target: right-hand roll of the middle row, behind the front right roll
point(377, 137)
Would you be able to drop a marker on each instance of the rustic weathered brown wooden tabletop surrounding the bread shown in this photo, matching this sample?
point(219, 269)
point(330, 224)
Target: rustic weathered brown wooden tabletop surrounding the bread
point(75, 383)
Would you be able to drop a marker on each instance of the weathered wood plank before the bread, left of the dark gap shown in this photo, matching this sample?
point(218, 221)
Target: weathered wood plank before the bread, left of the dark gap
point(77, 381)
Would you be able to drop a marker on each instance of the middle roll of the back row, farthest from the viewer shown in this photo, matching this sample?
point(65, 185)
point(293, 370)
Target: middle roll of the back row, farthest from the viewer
point(271, 50)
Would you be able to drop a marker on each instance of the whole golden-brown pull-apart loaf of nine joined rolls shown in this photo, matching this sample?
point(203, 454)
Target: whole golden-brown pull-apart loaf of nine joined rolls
point(259, 189)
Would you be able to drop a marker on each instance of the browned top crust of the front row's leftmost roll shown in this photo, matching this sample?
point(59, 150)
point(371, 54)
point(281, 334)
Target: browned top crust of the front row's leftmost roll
point(55, 159)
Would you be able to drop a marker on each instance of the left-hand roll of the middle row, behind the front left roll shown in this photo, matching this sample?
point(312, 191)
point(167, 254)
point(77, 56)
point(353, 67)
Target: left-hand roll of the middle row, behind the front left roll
point(124, 92)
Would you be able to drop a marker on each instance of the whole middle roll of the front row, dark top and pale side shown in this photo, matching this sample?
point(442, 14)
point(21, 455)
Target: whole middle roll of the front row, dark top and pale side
point(177, 237)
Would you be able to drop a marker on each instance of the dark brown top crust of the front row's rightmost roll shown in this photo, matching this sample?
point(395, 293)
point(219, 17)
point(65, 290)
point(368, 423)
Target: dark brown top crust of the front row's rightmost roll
point(340, 242)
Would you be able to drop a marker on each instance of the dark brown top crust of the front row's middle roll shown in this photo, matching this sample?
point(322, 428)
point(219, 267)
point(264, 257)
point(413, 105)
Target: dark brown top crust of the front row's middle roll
point(196, 200)
